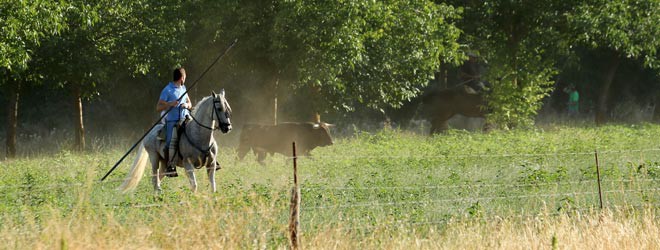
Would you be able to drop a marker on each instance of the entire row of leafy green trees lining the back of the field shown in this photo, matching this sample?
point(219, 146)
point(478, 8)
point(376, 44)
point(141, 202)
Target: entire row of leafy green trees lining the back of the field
point(108, 59)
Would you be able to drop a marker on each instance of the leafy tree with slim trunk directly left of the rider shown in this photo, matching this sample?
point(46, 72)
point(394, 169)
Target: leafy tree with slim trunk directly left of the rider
point(108, 38)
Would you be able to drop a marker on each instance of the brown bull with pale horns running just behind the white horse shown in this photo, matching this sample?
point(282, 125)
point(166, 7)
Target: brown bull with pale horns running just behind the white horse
point(262, 139)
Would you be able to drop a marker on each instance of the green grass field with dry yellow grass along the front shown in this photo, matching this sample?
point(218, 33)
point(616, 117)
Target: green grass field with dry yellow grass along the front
point(389, 189)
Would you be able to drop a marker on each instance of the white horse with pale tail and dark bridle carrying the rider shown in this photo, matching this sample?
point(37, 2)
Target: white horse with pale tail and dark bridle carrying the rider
point(197, 147)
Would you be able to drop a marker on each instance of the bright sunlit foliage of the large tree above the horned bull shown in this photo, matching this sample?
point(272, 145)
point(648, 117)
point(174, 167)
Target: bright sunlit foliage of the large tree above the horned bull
point(373, 53)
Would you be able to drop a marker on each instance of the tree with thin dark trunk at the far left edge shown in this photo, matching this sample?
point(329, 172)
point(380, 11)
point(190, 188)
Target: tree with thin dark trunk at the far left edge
point(25, 24)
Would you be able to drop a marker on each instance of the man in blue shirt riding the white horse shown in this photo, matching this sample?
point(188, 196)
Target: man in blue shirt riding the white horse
point(174, 97)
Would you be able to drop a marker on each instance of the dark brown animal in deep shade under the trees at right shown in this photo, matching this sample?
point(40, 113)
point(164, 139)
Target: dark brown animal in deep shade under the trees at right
point(442, 105)
